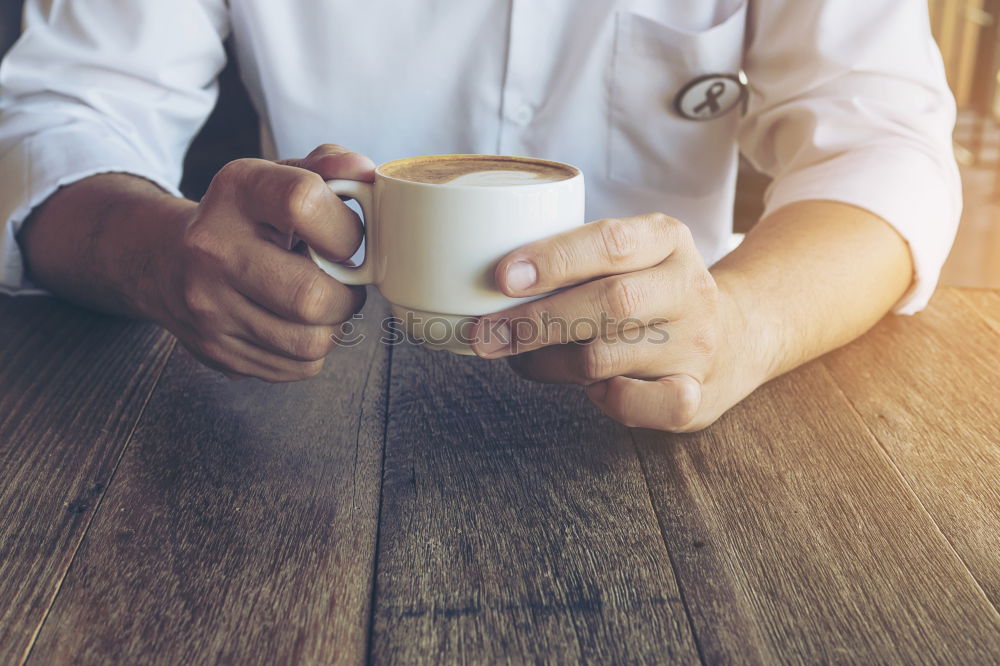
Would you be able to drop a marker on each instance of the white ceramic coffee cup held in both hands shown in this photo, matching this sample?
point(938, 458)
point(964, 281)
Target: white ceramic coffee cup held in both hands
point(431, 248)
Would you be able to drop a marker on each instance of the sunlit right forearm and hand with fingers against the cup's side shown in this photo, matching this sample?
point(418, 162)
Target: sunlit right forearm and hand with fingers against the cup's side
point(662, 342)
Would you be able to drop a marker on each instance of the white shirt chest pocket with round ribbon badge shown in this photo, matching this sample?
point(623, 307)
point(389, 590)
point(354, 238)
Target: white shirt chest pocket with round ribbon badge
point(651, 144)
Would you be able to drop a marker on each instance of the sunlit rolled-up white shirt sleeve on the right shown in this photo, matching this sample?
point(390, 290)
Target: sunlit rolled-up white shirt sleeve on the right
point(848, 102)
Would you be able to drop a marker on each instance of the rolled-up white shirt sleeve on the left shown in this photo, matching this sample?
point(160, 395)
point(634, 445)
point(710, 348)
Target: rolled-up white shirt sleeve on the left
point(96, 86)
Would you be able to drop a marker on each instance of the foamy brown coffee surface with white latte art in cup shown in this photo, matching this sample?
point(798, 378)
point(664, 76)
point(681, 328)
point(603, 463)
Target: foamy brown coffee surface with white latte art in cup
point(477, 171)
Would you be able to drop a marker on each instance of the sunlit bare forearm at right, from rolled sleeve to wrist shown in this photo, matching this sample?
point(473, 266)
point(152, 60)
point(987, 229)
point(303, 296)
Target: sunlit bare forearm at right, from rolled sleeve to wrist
point(808, 279)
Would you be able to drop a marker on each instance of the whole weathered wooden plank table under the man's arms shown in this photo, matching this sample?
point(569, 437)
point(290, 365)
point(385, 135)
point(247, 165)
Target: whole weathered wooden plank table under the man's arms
point(414, 506)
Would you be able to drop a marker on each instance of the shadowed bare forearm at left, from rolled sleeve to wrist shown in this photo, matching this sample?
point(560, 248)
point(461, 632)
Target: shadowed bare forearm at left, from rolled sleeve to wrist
point(98, 242)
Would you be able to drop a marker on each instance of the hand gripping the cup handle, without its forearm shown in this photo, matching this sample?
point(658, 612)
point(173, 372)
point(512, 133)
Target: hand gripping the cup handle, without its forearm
point(235, 295)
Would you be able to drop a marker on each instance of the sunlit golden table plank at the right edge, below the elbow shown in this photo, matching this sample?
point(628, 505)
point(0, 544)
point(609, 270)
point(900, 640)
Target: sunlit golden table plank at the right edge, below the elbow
point(928, 387)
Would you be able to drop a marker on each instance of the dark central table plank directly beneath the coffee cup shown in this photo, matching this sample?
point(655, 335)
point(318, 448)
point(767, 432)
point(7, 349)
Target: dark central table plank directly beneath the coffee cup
point(516, 527)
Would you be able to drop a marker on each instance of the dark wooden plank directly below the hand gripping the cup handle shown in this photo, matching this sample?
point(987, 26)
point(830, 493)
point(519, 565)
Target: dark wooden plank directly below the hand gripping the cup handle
point(241, 525)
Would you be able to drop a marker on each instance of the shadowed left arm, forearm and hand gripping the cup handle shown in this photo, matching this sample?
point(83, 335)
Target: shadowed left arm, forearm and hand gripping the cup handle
point(219, 274)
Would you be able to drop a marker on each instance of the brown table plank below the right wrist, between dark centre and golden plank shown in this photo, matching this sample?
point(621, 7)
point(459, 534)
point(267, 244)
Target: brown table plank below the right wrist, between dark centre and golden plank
point(796, 541)
